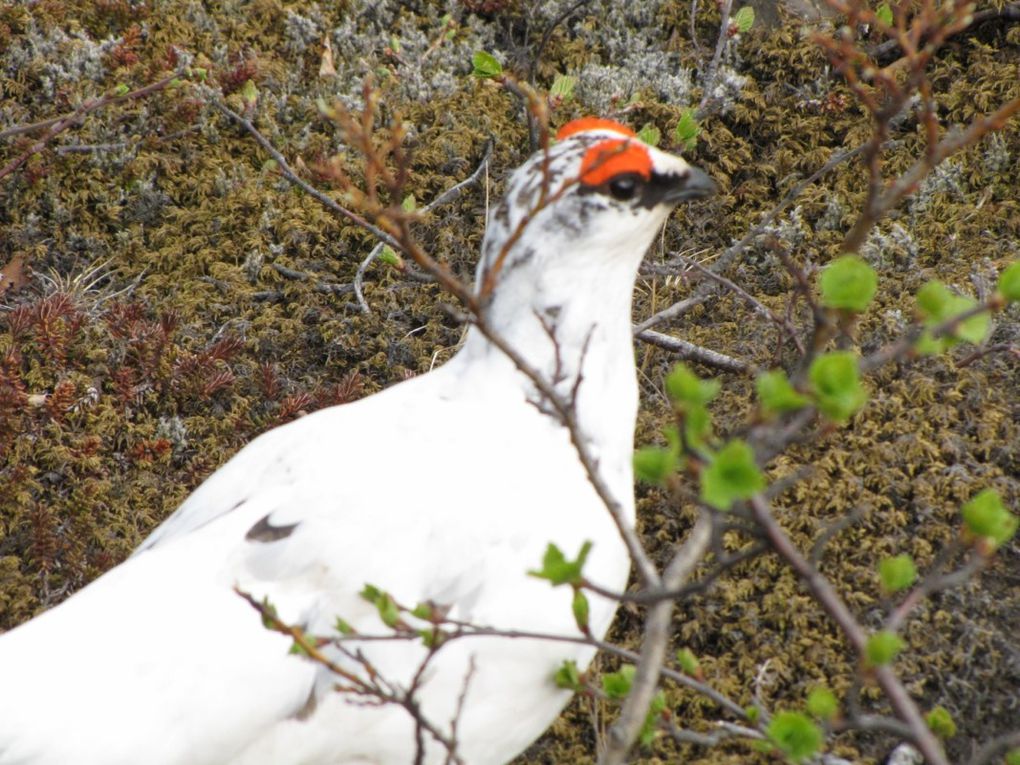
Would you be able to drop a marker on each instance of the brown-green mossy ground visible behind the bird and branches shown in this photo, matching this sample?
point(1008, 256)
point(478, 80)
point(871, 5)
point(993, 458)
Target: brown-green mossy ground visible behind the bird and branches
point(155, 318)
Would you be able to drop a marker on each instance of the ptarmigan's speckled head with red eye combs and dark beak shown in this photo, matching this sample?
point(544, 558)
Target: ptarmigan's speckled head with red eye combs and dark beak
point(590, 206)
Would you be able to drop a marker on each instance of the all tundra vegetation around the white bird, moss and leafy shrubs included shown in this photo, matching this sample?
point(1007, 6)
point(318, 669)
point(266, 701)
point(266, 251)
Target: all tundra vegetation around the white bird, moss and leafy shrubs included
point(217, 221)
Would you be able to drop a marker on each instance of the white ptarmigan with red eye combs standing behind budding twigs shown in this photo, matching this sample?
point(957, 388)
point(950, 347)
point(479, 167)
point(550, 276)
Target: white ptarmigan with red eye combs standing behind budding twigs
point(447, 488)
